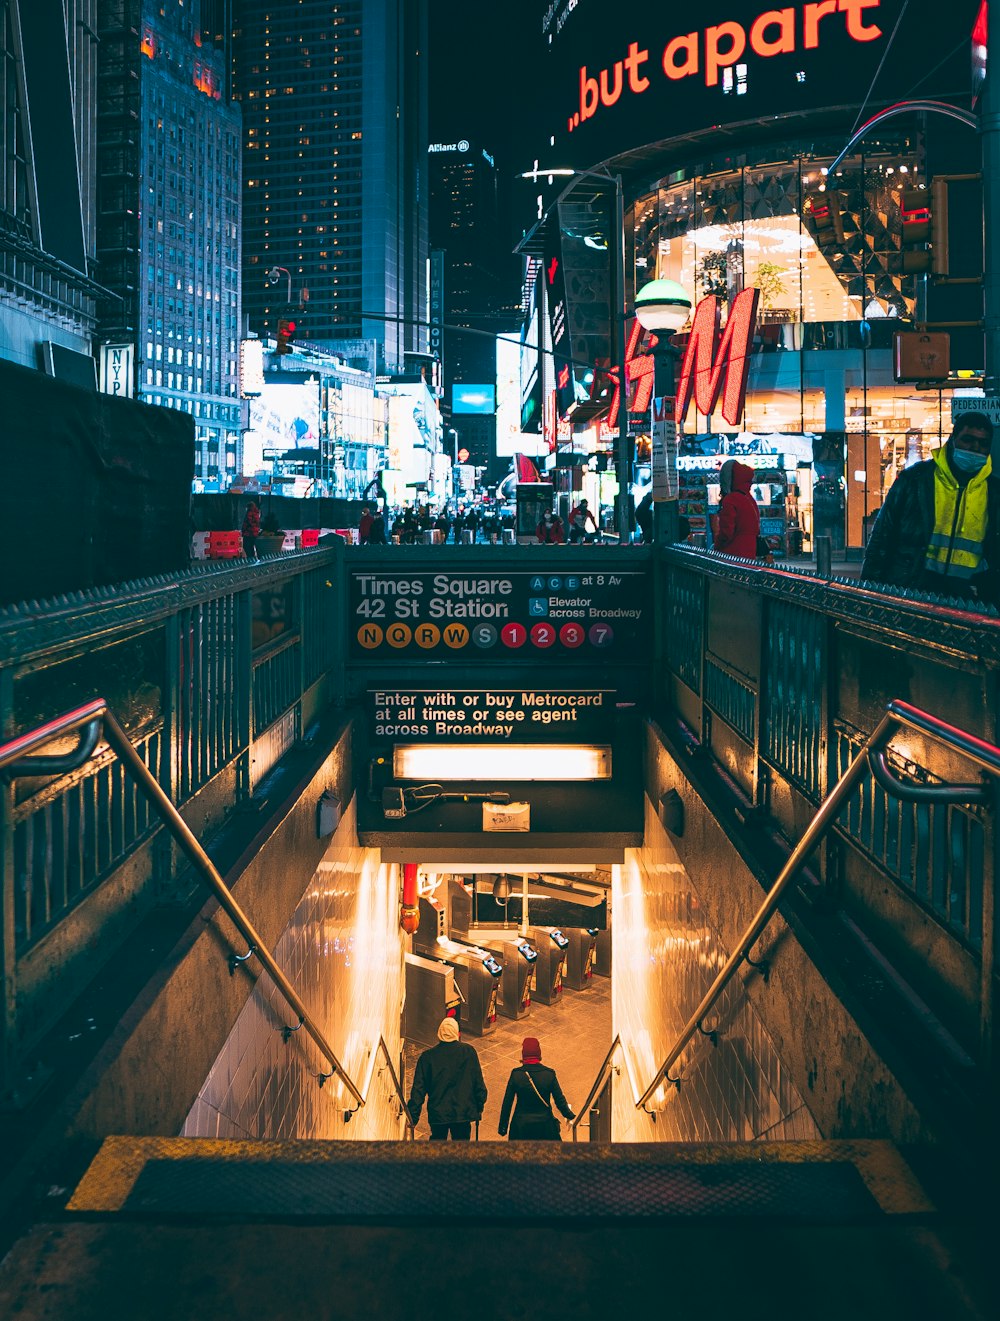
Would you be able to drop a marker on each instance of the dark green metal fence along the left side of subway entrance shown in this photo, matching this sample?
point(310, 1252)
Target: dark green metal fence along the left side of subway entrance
point(180, 660)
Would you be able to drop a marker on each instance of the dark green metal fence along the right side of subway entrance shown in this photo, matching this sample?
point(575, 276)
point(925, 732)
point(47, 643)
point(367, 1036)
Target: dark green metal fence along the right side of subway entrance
point(780, 677)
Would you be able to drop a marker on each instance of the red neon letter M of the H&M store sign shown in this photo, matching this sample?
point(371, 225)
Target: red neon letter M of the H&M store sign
point(707, 357)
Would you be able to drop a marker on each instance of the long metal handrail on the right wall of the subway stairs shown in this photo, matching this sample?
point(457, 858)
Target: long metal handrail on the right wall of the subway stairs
point(870, 756)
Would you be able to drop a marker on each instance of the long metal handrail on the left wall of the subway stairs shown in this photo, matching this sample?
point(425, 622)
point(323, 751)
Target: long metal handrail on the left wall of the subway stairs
point(17, 755)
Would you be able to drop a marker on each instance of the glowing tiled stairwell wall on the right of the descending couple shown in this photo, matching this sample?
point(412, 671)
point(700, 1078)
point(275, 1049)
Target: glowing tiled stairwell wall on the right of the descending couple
point(665, 957)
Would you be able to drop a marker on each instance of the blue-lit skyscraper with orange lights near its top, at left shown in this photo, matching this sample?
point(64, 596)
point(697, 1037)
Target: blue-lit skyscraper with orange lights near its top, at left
point(168, 227)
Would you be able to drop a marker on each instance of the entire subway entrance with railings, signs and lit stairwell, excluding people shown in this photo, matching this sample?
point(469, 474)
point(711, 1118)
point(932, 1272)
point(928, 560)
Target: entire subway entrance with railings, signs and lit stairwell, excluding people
point(721, 838)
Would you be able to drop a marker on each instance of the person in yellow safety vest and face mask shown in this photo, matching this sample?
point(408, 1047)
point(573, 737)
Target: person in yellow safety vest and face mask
point(939, 529)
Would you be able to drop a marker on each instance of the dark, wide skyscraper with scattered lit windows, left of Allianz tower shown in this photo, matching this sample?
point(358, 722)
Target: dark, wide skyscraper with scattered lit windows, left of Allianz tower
point(335, 151)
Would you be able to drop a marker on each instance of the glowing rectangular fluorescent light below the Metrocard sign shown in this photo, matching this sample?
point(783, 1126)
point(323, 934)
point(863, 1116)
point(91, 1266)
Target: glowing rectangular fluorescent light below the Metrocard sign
point(515, 762)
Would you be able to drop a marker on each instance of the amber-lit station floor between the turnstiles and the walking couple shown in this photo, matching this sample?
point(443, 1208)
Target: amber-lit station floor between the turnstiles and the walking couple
point(575, 1036)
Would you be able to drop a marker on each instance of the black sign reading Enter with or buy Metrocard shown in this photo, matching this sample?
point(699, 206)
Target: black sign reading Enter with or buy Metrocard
point(492, 715)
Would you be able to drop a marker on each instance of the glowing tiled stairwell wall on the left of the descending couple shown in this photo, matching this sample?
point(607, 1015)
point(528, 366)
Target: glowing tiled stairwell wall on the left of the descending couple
point(343, 953)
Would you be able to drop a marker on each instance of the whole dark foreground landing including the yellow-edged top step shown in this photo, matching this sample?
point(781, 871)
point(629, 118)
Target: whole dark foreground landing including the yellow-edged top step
point(170, 1229)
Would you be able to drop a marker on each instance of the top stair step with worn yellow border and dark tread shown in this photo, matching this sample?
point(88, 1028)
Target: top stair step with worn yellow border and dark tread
point(814, 1183)
